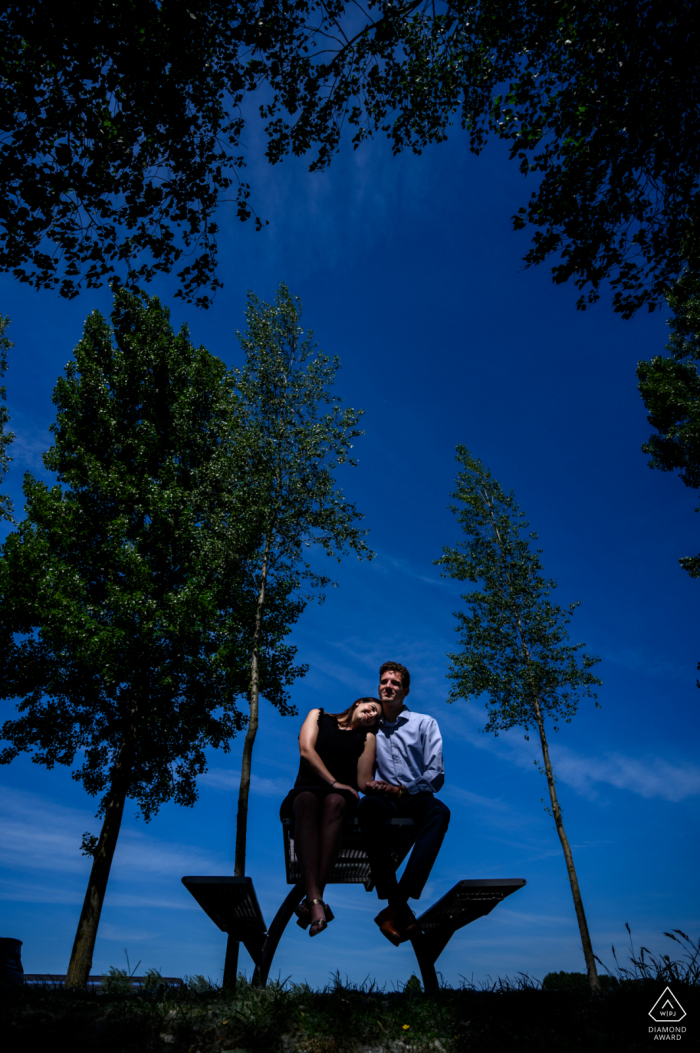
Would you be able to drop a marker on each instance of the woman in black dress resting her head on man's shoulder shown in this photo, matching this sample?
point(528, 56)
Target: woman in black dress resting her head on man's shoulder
point(337, 760)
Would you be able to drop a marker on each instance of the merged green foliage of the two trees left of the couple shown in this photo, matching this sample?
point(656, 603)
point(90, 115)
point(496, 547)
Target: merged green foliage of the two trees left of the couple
point(130, 595)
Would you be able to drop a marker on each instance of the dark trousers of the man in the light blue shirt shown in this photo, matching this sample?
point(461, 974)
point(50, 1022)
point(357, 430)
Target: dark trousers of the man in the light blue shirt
point(431, 819)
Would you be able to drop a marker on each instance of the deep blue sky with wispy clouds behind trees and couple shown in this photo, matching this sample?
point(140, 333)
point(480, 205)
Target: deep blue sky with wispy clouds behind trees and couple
point(409, 271)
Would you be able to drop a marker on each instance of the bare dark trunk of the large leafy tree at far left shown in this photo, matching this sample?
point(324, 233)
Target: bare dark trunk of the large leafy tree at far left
point(82, 957)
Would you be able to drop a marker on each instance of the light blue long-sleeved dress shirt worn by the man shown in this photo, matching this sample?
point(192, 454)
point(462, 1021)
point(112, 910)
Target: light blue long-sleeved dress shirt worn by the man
point(410, 752)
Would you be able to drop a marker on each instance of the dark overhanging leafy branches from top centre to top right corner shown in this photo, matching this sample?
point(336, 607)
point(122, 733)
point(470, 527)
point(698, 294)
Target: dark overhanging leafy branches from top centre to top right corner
point(581, 91)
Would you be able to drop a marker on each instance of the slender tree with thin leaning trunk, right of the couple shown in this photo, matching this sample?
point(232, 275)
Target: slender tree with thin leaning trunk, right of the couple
point(515, 641)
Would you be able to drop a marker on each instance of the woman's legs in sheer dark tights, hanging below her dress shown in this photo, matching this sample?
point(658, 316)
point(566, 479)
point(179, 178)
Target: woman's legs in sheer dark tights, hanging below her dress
point(318, 832)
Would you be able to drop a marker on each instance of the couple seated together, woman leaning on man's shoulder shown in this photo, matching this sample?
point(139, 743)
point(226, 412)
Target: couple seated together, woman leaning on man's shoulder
point(381, 748)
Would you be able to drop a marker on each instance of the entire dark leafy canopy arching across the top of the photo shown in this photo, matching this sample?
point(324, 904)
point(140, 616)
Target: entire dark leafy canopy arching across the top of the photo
point(123, 125)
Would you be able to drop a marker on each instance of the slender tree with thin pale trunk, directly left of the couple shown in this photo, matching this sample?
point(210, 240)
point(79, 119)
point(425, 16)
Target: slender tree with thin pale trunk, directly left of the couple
point(284, 388)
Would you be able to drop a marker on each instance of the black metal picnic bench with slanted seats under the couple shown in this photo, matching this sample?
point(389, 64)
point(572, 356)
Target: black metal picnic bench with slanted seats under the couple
point(231, 903)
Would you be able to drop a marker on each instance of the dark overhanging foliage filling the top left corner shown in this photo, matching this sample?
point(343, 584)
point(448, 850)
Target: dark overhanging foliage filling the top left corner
point(118, 137)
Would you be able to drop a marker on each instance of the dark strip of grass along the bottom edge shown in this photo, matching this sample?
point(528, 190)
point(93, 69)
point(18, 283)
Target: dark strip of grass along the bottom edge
point(556, 1017)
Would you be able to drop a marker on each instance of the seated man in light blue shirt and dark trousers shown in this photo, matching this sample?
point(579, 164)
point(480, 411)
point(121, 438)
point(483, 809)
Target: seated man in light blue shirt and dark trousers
point(409, 773)
